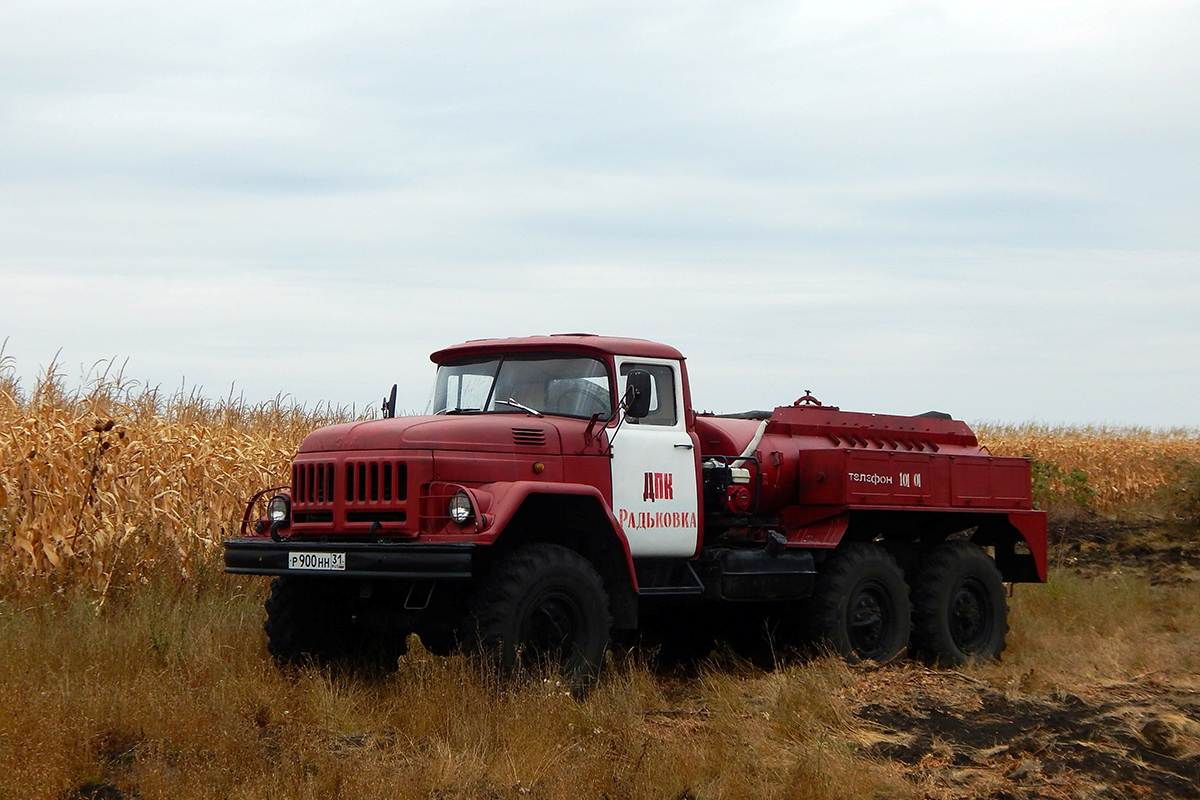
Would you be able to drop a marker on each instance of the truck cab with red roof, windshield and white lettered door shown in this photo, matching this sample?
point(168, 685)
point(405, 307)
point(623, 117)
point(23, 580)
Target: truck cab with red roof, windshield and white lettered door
point(644, 464)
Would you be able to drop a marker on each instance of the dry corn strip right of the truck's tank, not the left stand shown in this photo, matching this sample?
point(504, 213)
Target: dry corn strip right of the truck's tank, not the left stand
point(1126, 467)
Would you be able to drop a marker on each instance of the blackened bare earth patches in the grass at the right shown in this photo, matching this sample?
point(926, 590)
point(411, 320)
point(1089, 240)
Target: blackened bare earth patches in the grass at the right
point(959, 737)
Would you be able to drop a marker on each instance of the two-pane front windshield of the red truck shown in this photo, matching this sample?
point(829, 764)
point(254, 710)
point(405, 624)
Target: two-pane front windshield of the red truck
point(565, 387)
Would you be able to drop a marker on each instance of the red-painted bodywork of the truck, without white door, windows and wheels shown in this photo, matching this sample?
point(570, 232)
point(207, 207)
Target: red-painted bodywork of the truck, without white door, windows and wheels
point(814, 467)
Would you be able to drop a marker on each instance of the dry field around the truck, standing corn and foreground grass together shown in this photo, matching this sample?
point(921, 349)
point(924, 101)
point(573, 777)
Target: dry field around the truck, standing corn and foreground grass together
point(130, 666)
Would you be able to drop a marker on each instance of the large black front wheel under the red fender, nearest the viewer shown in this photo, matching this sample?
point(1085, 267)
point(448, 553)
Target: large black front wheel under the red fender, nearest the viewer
point(543, 606)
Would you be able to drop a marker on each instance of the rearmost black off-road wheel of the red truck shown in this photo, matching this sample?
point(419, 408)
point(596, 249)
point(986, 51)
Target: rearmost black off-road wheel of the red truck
point(959, 606)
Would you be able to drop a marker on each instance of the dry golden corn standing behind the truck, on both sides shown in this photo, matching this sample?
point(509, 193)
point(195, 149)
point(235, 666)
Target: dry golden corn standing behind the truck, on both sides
point(112, 484)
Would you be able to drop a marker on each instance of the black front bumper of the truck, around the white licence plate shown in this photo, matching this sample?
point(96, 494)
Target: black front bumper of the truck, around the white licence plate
point(363, 560)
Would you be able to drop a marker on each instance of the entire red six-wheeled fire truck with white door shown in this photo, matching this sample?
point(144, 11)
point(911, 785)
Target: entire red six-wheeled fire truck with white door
point(561, 492)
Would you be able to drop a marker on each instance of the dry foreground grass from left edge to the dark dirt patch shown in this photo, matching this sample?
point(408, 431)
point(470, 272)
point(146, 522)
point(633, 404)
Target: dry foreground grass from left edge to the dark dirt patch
point(171, 695)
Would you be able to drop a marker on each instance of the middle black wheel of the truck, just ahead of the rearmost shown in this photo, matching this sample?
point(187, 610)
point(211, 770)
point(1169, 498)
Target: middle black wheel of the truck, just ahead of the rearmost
point(861, 607)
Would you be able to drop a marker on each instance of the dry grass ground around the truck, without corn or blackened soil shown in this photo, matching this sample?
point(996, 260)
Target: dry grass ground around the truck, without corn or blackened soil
point(169, 694)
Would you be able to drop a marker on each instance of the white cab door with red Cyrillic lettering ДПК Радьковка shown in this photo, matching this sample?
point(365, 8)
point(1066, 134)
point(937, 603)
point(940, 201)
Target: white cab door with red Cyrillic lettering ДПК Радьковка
point(655, 468)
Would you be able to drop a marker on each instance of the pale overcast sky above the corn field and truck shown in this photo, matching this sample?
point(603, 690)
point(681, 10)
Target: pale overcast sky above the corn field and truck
point(989, 209)
